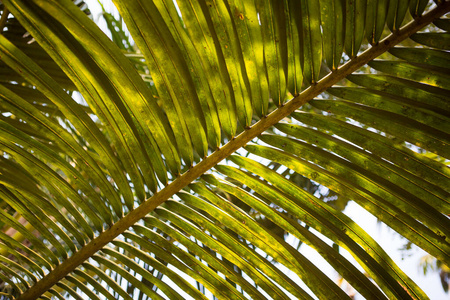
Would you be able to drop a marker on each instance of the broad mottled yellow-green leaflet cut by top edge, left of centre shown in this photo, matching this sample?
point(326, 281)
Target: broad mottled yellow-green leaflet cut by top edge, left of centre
point(165, 61)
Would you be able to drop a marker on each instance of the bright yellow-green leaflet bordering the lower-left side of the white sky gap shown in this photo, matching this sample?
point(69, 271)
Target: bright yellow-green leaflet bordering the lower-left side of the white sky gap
point(322, 217)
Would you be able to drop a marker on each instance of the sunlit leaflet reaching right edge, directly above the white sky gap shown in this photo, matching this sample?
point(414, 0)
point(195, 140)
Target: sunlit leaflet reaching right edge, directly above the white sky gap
point(394, 200)
